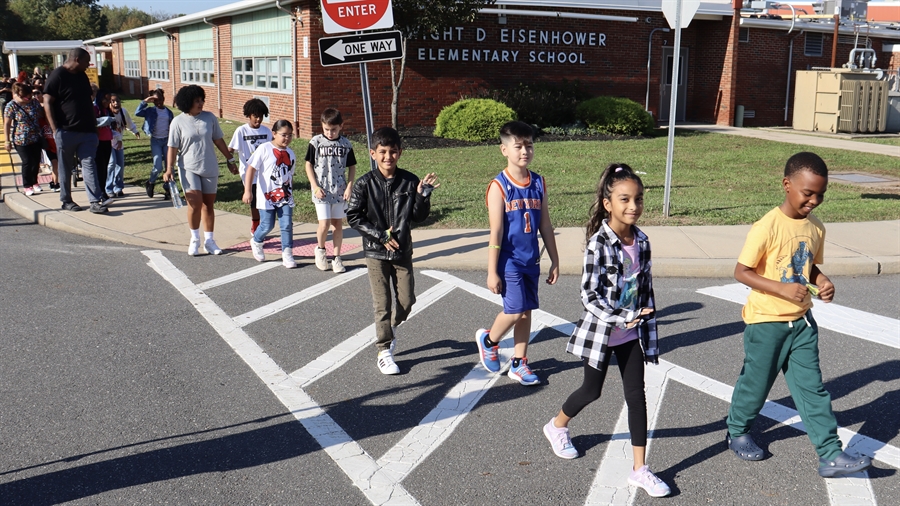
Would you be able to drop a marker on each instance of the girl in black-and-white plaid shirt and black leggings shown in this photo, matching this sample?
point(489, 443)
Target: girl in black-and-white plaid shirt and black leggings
point(618, 318)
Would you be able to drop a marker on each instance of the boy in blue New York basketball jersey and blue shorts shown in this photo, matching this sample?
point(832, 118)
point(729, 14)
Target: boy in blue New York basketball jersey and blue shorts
point(517, 209)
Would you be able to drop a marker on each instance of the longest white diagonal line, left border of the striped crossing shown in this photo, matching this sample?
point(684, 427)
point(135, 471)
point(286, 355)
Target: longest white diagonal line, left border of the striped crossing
point(352, 459)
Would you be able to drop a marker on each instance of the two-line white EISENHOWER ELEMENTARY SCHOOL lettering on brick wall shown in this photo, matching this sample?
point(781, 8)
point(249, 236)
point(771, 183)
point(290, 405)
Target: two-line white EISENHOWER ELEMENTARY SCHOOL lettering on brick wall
point(575, 40)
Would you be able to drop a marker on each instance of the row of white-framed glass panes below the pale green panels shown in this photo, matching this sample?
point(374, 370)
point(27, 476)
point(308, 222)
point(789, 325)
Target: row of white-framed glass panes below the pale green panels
point(255, 73)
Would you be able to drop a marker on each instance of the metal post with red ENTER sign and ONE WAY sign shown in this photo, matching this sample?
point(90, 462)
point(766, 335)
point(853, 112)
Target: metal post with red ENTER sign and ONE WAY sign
point(339, 16)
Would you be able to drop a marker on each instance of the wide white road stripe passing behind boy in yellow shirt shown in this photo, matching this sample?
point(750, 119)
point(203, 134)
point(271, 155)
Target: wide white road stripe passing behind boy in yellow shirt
point(852, 322)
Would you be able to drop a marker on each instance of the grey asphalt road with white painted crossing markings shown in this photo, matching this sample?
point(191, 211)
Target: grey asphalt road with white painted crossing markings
point(124, 382)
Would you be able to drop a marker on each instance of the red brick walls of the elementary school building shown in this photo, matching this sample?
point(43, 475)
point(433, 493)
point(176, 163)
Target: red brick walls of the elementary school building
point(607, 57)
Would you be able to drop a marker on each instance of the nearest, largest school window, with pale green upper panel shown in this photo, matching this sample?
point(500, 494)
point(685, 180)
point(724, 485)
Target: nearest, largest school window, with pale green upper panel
point(261, 48)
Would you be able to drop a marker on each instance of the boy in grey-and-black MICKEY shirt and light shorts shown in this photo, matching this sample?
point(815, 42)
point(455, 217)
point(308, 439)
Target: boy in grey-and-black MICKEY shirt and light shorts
point(329, 154)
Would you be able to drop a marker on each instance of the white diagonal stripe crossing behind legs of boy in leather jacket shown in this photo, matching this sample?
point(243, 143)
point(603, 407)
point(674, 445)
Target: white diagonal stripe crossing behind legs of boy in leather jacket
point(349, 348)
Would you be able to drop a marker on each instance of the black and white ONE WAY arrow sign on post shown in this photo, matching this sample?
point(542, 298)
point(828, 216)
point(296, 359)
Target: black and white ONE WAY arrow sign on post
point(360, 48)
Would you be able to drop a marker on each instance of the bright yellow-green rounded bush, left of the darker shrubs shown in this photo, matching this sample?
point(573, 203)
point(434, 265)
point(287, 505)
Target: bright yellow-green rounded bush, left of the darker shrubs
point(473, 119)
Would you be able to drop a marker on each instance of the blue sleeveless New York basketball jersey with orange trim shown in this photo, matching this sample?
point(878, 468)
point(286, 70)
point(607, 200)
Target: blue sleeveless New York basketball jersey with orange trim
point(519, 250)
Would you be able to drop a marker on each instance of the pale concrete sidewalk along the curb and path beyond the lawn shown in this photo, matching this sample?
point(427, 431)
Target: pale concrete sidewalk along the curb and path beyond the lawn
point(868, 248)
